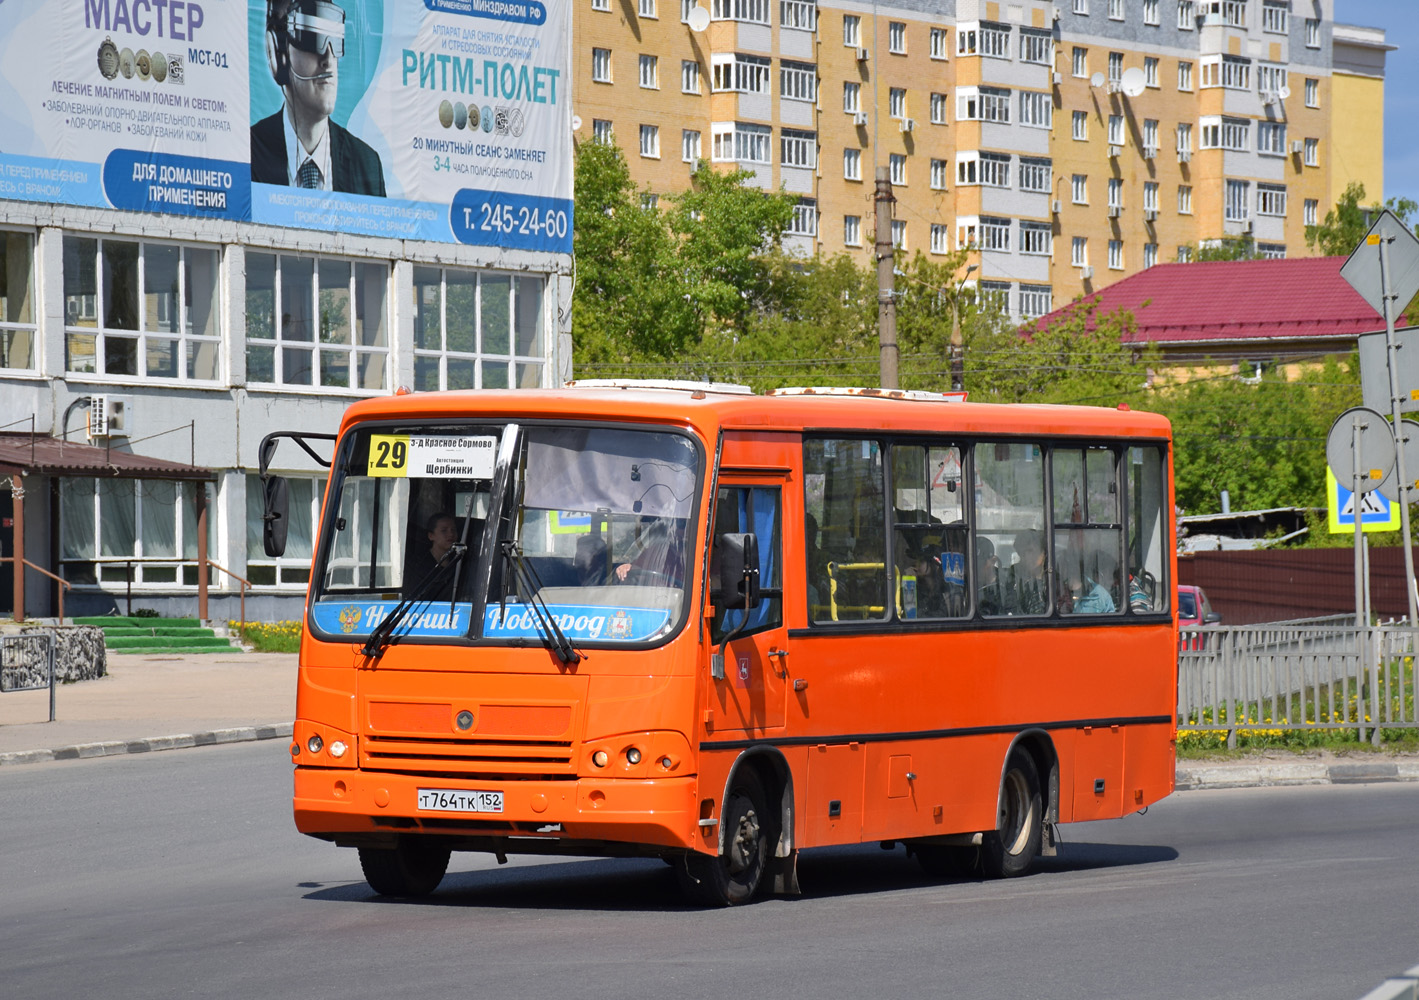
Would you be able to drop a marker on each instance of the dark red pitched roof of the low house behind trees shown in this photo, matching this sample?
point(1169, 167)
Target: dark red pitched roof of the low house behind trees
point(1217, 301)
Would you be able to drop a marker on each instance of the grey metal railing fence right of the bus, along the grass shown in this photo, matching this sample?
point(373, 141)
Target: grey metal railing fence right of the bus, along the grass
point(1298, 677)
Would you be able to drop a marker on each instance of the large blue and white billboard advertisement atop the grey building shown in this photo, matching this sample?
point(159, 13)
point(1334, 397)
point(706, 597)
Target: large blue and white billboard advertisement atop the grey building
point(422, 120)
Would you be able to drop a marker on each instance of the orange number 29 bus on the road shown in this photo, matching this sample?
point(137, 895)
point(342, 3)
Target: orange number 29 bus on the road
point(720, 628)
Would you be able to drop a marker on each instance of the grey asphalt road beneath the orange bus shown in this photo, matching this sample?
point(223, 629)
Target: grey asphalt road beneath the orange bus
point(181, 876)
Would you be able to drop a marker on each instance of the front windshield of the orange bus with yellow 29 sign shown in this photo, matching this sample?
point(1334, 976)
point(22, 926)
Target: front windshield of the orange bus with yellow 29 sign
point(497, 533)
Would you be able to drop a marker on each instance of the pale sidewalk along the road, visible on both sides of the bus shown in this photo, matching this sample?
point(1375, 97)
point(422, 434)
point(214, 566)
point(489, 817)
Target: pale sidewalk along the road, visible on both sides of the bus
point(160, 703)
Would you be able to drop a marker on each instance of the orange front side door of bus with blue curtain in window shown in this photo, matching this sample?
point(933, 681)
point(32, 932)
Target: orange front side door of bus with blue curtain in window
point(751, 694)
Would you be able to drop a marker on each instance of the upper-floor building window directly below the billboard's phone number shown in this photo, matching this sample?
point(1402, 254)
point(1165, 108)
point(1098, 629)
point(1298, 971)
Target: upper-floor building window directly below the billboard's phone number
point(477, 330)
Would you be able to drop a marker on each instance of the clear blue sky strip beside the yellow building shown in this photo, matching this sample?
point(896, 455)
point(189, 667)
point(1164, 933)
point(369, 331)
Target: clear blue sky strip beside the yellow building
point(1401, 25)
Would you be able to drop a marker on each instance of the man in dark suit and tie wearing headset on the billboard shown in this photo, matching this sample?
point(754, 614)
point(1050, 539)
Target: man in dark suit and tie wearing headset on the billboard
point(300, 145)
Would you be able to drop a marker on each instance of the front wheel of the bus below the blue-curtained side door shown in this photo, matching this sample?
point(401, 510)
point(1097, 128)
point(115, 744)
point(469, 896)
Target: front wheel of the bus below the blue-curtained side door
point(736, 876)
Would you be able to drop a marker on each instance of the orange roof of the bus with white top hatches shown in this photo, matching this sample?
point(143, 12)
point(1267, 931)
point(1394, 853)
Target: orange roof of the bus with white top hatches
point(709, 409)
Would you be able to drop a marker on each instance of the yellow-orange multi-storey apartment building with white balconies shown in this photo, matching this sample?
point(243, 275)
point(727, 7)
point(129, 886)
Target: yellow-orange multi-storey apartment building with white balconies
point(1066, 144)
